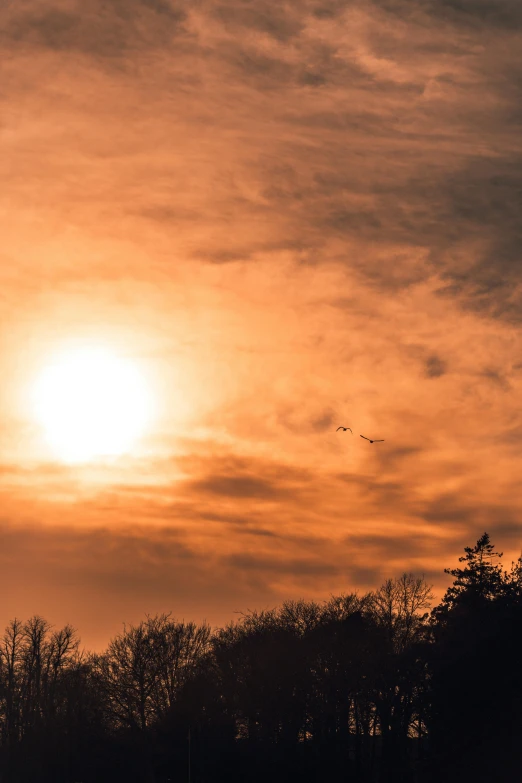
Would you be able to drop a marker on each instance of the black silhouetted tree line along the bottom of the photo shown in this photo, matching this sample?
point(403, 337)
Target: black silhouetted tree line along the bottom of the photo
point(370, 688)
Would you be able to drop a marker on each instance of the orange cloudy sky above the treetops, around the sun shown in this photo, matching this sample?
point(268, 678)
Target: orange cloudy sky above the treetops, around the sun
point(286, 216)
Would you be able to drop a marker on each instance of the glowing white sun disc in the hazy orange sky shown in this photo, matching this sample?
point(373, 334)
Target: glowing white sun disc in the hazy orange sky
point(91, 404)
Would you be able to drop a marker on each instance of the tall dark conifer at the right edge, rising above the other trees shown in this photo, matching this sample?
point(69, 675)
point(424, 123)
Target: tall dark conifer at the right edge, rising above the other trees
point(475, 680)
